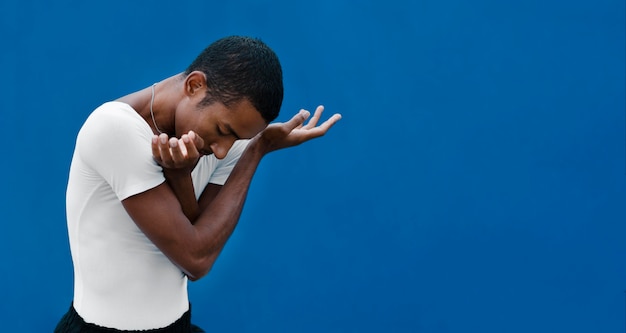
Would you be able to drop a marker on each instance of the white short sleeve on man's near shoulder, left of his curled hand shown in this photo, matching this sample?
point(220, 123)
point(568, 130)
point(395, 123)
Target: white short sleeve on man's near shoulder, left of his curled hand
point(116, 143)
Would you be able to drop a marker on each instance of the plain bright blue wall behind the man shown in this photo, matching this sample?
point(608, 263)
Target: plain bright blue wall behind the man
point(477, 182)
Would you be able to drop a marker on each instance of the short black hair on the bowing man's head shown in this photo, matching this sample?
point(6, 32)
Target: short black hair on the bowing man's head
point(239, 68)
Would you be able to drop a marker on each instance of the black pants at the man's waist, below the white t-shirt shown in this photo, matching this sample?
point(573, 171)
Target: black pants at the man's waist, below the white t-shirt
point(72, 322)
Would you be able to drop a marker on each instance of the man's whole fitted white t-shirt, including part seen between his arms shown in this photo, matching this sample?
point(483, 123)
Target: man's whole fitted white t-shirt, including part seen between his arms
point(121, 279)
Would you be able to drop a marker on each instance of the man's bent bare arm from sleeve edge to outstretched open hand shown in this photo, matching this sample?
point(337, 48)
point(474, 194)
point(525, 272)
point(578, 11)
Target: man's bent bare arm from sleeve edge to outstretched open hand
point(195, 247)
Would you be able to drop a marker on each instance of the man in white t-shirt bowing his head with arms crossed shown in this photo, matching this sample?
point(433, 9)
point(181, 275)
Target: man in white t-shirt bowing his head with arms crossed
point(158, 181)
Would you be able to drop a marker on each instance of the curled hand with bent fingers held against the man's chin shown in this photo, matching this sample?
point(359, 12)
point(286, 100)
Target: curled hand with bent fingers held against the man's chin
point(177, 154)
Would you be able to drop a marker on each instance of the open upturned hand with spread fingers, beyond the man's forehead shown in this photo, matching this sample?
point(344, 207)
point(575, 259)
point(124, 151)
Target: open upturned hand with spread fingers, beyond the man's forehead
point(294, 132)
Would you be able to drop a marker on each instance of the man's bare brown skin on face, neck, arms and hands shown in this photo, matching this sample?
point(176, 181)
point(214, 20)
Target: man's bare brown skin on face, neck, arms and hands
point(192, 233)
